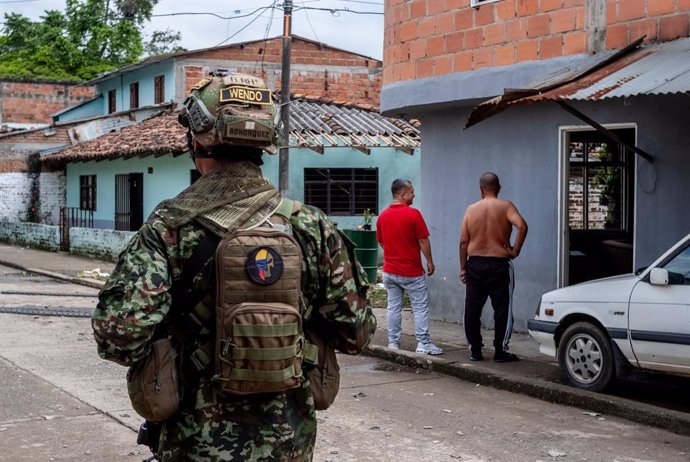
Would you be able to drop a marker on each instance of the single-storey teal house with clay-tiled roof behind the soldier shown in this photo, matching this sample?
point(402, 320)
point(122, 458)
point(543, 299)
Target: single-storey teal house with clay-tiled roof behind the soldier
point(343, 159)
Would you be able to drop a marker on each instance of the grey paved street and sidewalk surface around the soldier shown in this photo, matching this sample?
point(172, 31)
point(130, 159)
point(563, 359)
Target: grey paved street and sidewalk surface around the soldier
point(58, 397)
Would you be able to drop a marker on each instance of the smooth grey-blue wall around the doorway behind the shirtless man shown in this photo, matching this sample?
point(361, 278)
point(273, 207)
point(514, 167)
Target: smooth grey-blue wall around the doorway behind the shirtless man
point(522, 146)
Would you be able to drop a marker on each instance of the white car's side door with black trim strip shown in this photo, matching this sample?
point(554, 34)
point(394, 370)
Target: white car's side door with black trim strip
point(659, 317)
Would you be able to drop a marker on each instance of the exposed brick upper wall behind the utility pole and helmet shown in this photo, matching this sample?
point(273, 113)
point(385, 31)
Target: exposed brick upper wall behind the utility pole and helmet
point(315, 70)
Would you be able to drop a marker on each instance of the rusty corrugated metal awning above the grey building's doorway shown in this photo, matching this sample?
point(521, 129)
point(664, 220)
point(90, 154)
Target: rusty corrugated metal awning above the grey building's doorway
point(656, 69)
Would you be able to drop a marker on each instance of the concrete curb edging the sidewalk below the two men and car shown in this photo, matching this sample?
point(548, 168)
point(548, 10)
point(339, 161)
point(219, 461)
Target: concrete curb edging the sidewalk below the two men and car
point(556, 393)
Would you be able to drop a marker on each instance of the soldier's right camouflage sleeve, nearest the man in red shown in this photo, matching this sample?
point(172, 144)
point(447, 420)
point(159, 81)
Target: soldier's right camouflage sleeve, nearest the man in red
point(335, 286)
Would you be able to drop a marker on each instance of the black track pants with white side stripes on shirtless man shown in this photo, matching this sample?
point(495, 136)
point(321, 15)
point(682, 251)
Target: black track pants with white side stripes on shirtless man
point(489, 277)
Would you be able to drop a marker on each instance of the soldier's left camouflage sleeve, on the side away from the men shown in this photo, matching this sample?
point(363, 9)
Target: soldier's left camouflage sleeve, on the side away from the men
point(134, 300)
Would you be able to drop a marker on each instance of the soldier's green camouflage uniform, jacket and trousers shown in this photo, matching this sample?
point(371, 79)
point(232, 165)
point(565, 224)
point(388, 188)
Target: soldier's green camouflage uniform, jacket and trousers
point(137, 298)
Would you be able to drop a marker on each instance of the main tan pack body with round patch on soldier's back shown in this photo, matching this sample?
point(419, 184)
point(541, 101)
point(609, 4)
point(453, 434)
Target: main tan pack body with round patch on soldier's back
point(259, 334)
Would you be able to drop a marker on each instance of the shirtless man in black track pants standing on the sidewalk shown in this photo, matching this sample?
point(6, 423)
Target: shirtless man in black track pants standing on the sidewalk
point(486, 268)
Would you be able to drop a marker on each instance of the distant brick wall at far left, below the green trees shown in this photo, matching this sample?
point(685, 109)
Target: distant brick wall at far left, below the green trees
point(34, 102)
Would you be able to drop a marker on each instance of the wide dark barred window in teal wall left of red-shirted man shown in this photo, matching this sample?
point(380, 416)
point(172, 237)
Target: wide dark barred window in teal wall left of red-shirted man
point(342, 191)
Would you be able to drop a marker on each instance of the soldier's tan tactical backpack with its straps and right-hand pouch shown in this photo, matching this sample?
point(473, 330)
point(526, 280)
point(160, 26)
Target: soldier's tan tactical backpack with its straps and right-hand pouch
point(261, 345)
